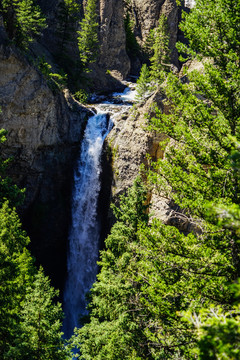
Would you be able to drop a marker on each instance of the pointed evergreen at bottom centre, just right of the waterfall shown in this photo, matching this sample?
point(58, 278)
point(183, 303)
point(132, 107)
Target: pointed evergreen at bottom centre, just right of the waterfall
point(111, 333)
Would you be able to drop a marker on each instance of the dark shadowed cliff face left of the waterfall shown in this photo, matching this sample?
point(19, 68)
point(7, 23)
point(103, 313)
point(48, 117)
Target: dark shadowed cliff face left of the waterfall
point(44, 131)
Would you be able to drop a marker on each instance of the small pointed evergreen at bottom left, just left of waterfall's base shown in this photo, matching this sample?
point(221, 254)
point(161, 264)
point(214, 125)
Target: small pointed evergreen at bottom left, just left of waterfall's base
point(40, 329)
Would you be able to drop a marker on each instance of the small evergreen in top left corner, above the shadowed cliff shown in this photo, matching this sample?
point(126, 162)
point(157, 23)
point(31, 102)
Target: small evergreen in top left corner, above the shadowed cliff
point(23, 20)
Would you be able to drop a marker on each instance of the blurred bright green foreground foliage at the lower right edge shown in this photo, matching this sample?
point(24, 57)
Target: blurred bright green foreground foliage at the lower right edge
point(218, 328)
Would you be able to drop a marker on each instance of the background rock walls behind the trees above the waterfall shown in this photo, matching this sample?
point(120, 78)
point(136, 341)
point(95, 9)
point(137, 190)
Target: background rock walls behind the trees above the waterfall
point(113, 64)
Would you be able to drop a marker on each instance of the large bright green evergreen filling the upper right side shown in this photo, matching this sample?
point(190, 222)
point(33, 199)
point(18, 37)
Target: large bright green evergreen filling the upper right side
point(198, 167)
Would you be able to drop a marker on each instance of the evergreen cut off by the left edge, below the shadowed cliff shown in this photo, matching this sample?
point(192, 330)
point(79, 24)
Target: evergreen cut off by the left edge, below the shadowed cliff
point(16, 273)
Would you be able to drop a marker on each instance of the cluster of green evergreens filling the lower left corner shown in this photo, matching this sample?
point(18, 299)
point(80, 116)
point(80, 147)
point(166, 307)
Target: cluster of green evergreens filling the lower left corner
point(30, 321)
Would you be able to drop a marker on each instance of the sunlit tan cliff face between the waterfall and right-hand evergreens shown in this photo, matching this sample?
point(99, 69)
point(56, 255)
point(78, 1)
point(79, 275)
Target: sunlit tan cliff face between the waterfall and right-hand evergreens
point(131, 145)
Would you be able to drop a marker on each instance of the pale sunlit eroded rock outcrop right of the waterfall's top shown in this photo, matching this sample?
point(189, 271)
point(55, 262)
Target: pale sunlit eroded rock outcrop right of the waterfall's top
point(130, 143)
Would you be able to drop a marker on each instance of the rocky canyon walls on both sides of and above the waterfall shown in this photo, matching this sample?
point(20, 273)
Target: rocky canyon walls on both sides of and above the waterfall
point(45, 127)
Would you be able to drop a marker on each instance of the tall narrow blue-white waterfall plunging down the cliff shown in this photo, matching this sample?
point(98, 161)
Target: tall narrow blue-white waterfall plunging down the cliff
point(85, 228)
